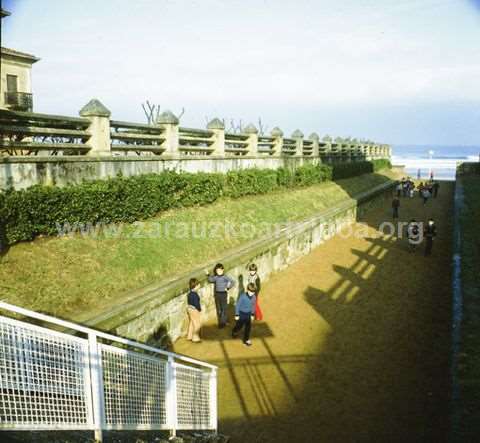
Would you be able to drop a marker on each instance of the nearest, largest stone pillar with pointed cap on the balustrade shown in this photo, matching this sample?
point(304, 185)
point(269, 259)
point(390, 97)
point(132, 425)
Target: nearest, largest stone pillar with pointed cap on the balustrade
point(99, 128)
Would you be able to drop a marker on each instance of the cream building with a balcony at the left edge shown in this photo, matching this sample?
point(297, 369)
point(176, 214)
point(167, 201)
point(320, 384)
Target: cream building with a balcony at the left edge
point(16, 77)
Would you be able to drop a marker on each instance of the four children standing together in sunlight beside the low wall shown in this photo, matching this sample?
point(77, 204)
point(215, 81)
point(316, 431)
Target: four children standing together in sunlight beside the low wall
point(247, 308)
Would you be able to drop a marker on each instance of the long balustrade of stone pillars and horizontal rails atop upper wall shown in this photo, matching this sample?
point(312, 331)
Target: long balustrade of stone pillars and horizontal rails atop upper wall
point(95, 134)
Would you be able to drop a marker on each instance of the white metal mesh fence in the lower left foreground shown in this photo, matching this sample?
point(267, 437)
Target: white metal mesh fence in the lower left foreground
point(52, 380)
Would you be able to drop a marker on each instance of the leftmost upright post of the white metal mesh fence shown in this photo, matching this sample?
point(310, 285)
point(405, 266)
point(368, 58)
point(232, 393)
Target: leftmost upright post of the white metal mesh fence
point(96, 377)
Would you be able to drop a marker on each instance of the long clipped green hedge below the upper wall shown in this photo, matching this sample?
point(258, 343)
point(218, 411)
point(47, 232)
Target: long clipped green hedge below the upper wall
point(27, 213)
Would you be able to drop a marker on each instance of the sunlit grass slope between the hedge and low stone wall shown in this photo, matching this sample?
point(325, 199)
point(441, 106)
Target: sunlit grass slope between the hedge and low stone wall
point(70, 275)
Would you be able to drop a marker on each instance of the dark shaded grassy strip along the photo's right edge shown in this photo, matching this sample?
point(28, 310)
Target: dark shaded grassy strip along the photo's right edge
point(469, 367)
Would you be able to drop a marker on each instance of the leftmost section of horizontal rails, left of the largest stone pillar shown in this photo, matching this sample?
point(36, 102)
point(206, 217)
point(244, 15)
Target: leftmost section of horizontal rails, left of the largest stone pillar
point(25, 133)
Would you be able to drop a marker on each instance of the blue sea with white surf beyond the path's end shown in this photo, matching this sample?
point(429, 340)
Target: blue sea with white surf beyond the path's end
point(426, 159)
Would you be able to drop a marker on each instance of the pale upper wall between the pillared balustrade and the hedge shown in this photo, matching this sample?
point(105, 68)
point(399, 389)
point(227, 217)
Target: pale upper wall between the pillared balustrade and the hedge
point(23, 172)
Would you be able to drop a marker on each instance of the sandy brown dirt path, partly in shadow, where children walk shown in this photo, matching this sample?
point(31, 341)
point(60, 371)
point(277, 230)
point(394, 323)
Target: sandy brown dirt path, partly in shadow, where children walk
point(354, 346)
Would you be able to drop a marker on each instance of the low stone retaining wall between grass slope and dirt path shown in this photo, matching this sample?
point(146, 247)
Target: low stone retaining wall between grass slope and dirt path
point(162, 307)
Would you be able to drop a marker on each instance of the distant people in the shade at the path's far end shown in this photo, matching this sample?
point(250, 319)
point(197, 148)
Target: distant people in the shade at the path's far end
point(406, 187)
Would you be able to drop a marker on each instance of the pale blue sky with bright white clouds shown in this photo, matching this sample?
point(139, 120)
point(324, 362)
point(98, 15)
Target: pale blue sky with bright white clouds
point(393, 71)
